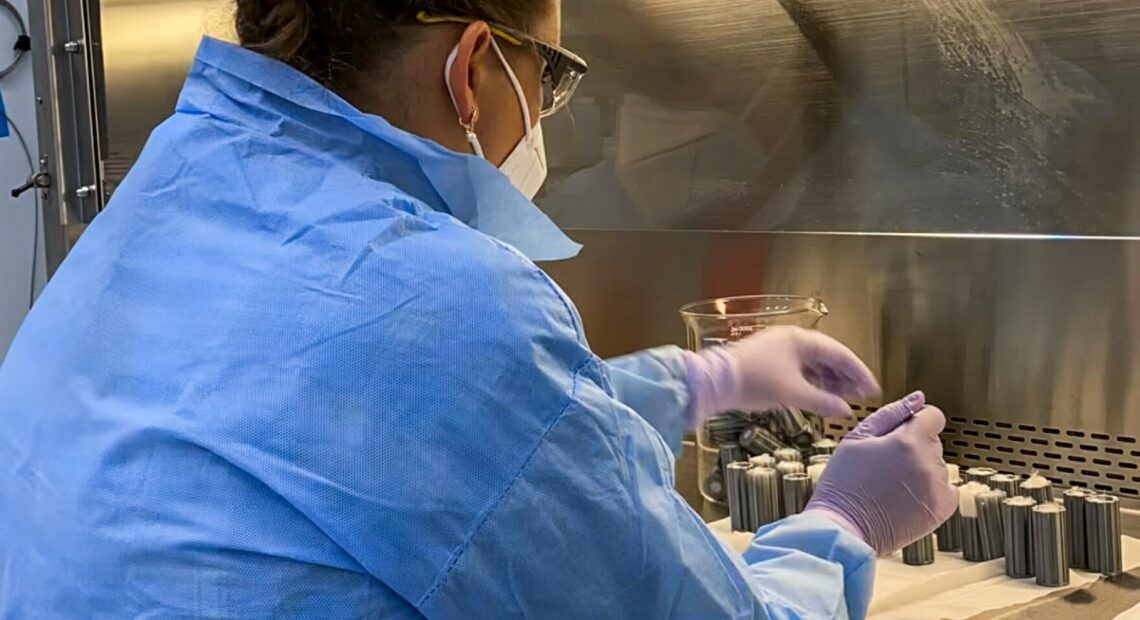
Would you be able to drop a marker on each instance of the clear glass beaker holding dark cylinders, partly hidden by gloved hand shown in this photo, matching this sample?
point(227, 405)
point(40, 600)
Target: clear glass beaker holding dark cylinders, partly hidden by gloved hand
point(713, 323)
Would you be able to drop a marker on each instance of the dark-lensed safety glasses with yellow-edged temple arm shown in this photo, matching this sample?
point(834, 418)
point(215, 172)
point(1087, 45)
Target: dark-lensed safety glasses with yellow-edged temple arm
point(564, 69)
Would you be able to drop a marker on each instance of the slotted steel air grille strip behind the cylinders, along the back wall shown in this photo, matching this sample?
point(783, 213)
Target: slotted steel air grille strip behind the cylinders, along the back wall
point(1069, 458)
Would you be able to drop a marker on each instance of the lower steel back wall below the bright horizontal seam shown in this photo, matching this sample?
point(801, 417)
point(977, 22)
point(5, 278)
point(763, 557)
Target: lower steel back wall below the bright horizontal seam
point(1029, 345)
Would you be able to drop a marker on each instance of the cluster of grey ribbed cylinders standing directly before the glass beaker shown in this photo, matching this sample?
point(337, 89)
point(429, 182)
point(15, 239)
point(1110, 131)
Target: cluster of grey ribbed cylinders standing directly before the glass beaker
point(767, 488)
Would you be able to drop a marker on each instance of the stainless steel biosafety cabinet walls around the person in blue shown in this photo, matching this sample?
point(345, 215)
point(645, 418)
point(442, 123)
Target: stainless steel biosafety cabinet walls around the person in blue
point(959, 181)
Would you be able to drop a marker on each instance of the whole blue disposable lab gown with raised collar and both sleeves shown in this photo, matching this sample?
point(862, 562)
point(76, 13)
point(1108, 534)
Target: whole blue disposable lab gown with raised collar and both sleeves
point(302, 369)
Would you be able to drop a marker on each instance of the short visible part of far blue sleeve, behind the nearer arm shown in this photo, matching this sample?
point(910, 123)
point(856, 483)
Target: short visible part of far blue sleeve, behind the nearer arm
point(653, 384)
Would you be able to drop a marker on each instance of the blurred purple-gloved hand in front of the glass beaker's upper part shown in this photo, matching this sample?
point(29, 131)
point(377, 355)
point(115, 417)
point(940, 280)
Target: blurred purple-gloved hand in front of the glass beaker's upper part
point(775, 369)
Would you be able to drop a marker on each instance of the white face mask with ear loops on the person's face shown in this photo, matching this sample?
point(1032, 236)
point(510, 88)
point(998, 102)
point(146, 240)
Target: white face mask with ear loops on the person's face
point(526, 166)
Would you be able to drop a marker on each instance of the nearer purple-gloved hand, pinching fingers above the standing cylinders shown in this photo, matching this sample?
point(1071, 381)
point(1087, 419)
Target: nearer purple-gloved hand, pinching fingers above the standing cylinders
point(887, 483)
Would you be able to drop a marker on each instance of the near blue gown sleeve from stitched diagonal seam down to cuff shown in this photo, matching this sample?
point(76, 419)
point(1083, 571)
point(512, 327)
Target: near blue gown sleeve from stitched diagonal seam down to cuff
point(592, 528)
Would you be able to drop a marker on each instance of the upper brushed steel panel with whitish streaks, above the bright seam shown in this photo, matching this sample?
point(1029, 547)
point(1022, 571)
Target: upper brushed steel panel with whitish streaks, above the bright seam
point(856, 116)
